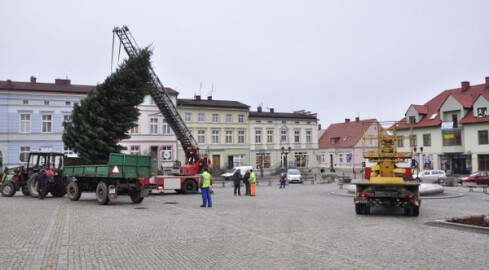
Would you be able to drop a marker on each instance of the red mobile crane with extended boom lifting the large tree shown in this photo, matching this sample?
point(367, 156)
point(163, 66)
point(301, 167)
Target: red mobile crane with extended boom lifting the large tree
point(187, 179)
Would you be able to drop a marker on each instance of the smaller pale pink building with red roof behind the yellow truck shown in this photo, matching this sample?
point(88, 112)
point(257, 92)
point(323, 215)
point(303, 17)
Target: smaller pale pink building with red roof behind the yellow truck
point(342, 144)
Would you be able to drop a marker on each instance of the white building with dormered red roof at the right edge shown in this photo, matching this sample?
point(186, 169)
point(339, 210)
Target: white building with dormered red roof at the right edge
point(450, 131)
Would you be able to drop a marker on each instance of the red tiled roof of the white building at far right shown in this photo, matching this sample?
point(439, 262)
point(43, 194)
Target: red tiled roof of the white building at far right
point(432, 107)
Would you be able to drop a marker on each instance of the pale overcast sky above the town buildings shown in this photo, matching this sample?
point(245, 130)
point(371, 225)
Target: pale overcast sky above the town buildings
point(340, 59)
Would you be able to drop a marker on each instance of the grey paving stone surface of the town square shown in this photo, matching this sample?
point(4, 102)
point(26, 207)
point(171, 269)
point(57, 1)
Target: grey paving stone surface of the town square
point(300, 227)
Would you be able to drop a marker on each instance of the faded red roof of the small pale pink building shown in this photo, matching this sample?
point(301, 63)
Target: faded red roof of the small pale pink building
point(348, 134)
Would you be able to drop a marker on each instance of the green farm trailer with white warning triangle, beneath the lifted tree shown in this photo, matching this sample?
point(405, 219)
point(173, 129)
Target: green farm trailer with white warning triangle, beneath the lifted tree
point(119, 177)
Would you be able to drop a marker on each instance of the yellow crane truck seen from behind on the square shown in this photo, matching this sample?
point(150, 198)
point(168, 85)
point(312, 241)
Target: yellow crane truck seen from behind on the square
point(387, 185)
